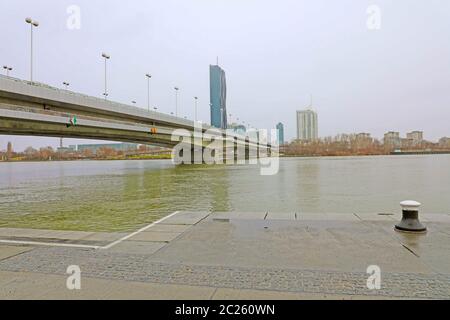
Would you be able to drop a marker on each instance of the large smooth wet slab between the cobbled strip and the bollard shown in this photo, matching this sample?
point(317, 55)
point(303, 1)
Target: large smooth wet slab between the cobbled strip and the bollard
point(313, 245)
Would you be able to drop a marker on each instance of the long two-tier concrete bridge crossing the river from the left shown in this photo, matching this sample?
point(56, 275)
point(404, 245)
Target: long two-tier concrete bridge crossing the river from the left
point(36, 109)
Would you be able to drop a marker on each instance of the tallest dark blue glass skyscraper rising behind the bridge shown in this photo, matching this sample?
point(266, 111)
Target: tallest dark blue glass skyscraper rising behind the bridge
point(218, 97)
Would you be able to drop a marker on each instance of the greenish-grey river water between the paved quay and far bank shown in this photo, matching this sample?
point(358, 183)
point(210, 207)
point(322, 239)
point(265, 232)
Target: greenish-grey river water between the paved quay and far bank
point(124, 195)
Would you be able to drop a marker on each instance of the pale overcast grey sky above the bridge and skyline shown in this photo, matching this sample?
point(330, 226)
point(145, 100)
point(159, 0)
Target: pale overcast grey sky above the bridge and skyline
point(275, 53)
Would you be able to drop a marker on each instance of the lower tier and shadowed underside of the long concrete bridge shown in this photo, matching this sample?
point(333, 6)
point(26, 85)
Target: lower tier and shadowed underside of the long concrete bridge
point(59, 126)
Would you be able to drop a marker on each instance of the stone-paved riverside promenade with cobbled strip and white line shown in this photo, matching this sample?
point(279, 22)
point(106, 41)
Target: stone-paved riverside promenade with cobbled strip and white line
point(233, 256)
